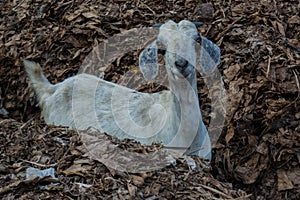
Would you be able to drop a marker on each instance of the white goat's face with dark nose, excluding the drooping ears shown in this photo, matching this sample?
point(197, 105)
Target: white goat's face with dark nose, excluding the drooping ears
point(178, 43)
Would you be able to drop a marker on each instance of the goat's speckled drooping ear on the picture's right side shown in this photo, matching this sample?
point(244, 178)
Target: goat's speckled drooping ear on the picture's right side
point(209, 55)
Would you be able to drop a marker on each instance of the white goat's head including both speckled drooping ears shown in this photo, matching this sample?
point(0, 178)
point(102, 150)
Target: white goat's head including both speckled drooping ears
point(183, 49)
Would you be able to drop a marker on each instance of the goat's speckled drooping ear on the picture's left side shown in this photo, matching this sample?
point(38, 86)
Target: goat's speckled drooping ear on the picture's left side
point(148, 61)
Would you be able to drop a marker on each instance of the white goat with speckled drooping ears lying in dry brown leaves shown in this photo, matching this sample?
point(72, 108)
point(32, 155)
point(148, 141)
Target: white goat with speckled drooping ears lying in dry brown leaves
point(172, 117)
